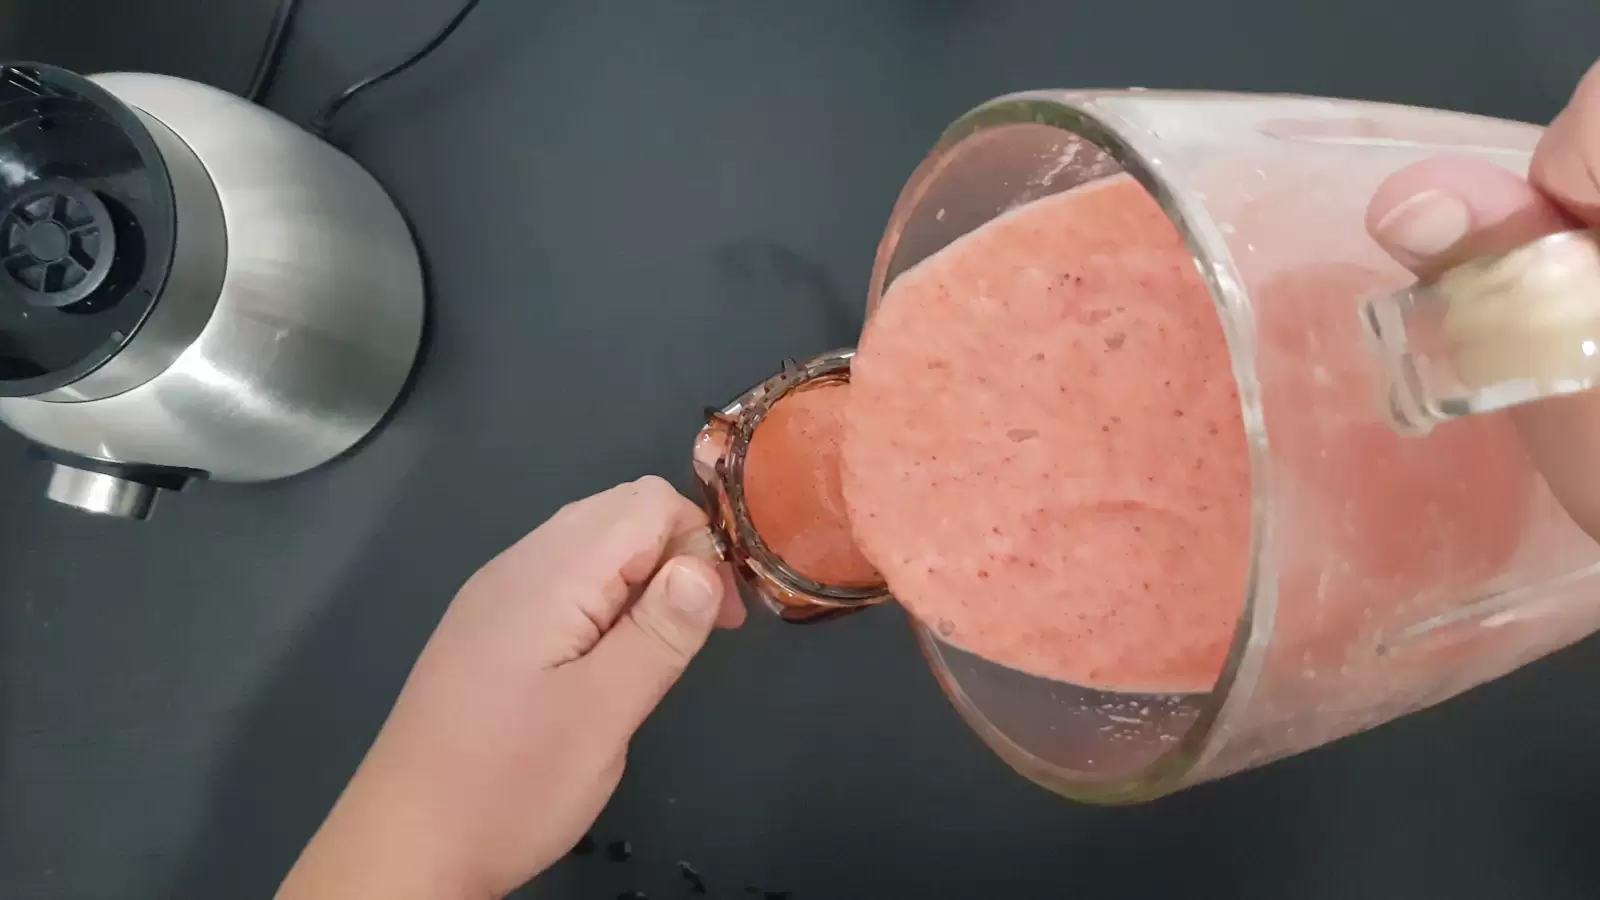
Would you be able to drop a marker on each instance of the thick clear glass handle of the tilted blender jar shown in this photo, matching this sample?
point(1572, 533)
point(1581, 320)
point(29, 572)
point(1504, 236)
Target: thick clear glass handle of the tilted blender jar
point(1497, 332)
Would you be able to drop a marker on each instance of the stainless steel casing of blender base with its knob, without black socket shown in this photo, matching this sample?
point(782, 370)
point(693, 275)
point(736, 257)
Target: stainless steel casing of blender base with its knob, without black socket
point(286, 329)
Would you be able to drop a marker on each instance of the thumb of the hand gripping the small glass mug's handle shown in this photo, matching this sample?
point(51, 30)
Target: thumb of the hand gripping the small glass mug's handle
point(654, 641)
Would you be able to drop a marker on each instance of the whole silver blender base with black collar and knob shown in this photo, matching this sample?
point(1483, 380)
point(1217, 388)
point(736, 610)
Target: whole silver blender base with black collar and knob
point(190, 287)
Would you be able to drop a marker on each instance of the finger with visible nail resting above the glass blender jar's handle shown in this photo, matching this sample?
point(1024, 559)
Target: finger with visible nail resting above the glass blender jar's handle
point(1444, 212)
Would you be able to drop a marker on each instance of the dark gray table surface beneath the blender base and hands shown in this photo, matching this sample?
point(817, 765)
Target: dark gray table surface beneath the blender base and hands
point(631, 211)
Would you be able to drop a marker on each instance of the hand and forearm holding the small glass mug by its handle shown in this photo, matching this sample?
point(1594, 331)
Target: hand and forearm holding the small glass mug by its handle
point(513, 729)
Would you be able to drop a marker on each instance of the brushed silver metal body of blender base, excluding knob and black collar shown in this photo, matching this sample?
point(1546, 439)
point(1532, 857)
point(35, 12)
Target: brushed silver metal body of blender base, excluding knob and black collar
point(316, 327)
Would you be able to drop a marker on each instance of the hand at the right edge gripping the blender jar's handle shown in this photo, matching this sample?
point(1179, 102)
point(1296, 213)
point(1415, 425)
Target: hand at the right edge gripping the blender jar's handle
point(1444, 212)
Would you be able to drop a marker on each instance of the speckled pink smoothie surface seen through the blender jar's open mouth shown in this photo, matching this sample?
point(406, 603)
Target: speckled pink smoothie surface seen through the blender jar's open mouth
point(1044, 451)
